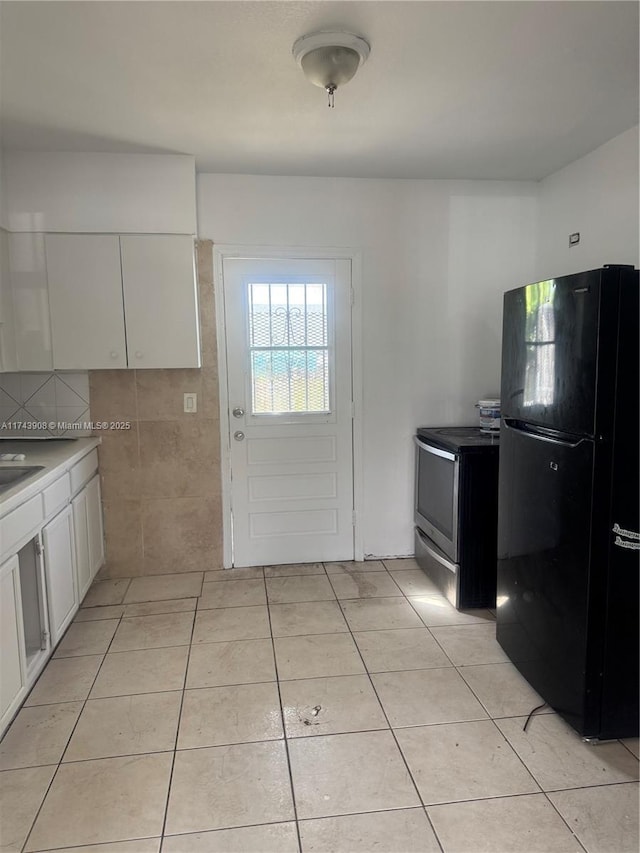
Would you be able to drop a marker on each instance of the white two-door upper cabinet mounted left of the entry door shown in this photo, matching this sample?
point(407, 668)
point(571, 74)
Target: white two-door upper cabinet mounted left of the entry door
point(120, 302)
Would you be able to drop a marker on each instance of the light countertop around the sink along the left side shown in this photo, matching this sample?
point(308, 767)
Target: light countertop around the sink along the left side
point(57, 456)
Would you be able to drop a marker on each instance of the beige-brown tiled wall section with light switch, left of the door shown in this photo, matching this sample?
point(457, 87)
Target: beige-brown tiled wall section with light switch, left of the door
point(161, 479)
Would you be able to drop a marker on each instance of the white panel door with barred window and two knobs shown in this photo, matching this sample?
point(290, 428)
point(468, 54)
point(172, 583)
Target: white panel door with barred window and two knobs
point(288, 339)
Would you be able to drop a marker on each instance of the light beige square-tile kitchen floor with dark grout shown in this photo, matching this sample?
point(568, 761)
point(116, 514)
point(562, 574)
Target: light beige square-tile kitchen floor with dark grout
point(338, 708)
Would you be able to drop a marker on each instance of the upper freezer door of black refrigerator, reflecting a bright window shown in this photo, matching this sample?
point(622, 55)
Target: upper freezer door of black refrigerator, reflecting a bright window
point(549, 355)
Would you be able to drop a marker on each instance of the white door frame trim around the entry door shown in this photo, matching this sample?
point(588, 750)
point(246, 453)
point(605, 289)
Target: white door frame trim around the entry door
point(223, 252)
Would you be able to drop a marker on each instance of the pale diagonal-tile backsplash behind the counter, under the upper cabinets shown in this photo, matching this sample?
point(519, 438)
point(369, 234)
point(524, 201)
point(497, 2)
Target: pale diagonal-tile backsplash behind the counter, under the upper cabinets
point(44, 405)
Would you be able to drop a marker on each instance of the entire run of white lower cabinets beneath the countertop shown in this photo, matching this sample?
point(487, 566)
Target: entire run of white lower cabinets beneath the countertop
point(42, 585)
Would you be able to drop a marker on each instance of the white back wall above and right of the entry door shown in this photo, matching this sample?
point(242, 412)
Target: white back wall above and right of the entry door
point(437, 256)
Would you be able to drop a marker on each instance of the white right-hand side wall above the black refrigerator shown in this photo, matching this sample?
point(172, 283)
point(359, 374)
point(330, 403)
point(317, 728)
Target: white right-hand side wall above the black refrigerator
point(596, 195)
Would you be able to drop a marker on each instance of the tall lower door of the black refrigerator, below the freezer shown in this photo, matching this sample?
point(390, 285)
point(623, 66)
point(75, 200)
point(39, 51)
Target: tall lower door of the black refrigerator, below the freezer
point(543, 564)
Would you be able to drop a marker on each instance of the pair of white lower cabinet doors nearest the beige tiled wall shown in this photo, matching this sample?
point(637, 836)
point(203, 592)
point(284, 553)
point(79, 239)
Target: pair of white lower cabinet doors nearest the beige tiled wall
point(89, 537)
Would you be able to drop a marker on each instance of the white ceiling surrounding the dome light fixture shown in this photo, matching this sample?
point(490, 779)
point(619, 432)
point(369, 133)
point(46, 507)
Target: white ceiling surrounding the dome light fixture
point(499, 90)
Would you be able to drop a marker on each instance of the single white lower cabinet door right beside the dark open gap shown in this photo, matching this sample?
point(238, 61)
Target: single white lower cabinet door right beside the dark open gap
point(60, 572)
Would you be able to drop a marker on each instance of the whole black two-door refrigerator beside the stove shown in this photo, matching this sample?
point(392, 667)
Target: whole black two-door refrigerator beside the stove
point(568, 542)
